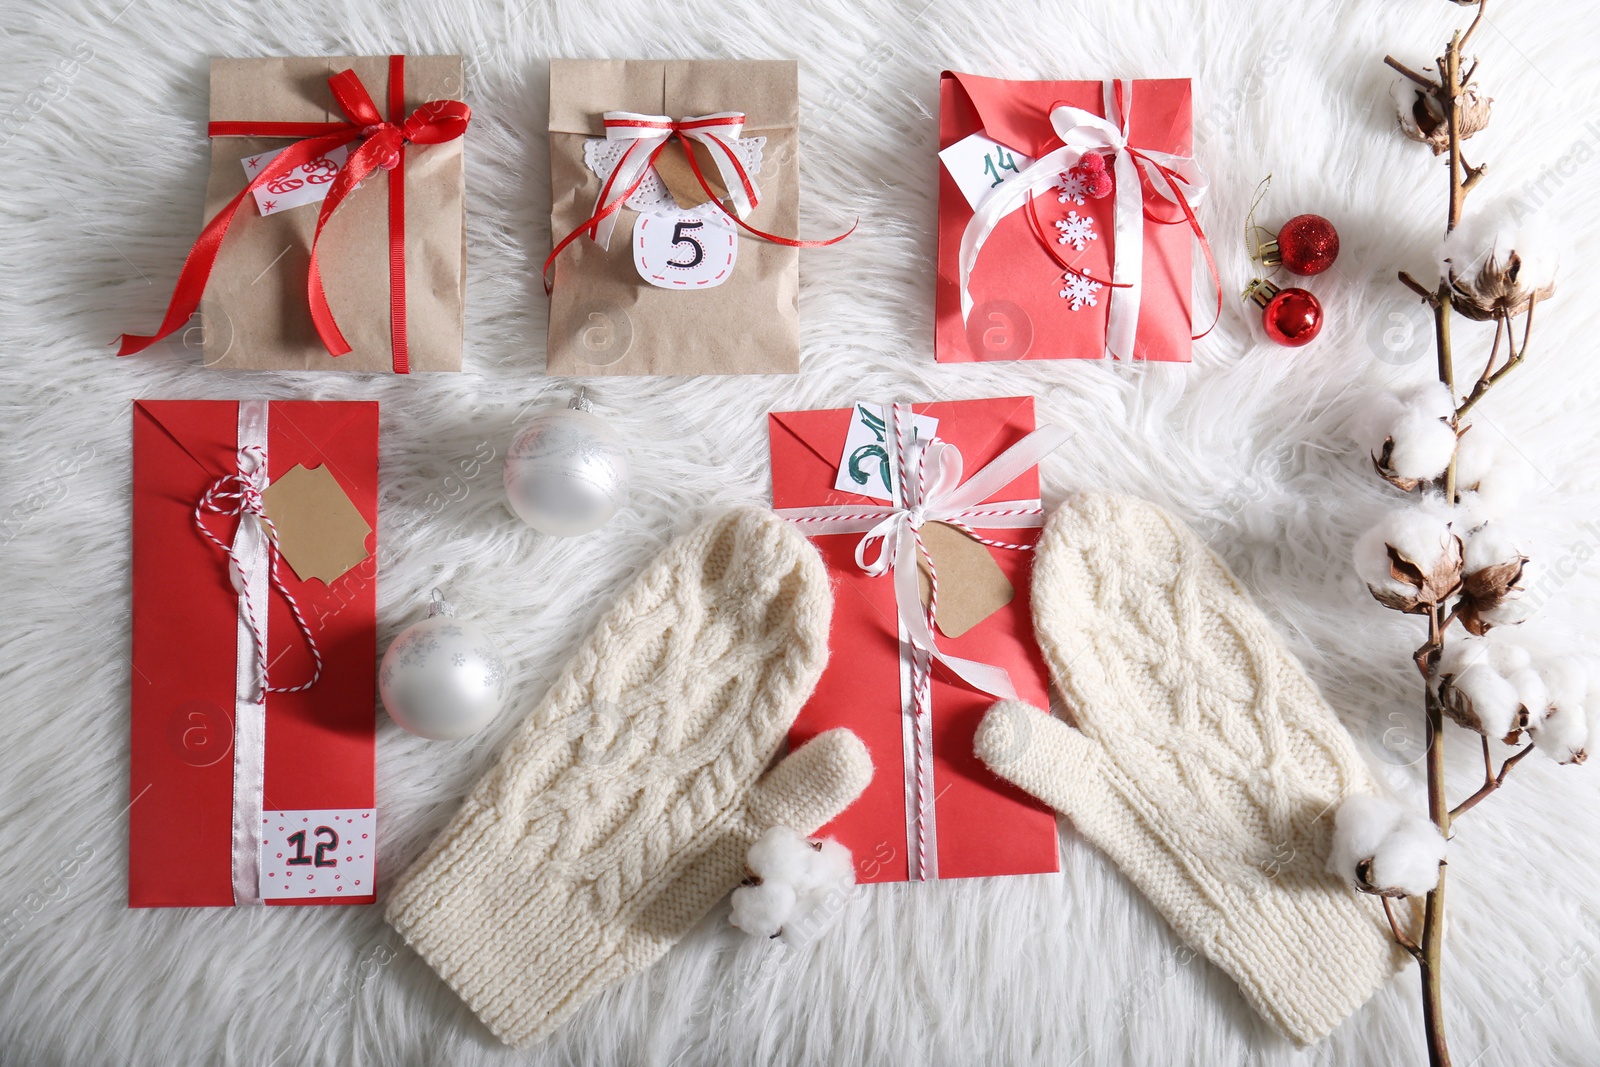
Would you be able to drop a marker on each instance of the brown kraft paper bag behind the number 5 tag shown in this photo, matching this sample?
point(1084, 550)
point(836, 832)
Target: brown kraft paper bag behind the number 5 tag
point(609, 321)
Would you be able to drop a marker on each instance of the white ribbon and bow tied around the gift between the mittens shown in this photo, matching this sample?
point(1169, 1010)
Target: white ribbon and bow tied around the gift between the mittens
point(929, 489)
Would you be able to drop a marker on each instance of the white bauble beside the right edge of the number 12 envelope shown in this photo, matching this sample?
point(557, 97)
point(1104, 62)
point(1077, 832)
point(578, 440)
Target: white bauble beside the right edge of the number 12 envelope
point(442, 679)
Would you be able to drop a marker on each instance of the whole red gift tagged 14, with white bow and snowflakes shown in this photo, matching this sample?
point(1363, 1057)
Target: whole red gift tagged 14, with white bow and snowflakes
point(1052, 270)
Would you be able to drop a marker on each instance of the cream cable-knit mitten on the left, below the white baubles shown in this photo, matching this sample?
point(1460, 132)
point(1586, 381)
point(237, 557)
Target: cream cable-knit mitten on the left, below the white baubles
point(626, 802)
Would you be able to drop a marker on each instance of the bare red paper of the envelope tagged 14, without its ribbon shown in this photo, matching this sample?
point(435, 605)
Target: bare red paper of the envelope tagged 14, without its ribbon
point(1018, 313)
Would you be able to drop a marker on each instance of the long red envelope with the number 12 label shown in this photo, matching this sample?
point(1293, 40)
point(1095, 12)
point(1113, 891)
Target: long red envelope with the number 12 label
point(321, 743)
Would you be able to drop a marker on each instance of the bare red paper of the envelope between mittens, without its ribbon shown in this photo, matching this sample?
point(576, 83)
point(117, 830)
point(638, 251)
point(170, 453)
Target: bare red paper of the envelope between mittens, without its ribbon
point(983, 826)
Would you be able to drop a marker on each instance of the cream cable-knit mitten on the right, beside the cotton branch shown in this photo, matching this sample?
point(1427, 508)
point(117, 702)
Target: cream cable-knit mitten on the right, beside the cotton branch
point(1204, 764)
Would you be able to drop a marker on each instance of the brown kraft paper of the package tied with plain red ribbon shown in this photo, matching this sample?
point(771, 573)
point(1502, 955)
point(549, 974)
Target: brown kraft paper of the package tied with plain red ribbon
point(255, 306)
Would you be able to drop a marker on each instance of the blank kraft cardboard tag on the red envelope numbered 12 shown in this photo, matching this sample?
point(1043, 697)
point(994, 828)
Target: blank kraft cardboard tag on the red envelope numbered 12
point(319, 530)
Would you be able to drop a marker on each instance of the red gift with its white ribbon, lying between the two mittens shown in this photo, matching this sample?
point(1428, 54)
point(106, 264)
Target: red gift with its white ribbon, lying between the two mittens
point(932, 810)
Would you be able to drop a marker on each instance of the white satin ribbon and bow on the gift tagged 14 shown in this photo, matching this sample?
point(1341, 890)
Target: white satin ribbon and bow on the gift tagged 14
point(1084, 132)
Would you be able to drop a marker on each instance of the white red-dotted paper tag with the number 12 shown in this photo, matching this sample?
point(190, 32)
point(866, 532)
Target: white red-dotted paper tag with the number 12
point(326, 853)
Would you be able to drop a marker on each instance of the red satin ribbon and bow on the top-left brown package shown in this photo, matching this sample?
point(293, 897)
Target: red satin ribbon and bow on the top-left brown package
point(383, 146)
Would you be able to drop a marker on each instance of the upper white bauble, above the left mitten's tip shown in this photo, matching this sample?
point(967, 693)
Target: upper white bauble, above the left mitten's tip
point(567, 473)
